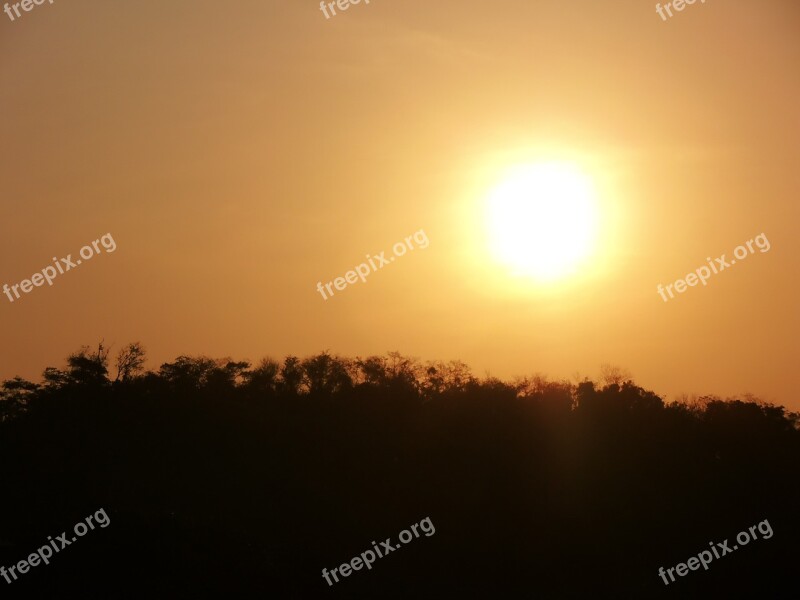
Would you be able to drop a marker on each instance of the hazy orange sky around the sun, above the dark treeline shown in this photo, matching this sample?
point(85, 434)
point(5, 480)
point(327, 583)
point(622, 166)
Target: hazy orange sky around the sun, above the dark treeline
point(238, 154)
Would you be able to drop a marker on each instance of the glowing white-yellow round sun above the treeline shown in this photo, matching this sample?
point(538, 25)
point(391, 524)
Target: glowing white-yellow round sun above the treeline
point(542, 220)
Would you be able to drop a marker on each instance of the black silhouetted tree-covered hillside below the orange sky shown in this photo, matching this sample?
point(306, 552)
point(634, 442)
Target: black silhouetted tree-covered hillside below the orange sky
point(227, 480)
